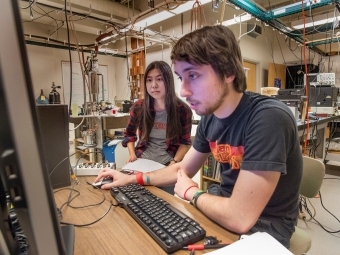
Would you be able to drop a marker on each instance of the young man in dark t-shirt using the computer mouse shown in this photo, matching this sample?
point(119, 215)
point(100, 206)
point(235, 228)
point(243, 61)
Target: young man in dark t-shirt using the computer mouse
point(254, 138)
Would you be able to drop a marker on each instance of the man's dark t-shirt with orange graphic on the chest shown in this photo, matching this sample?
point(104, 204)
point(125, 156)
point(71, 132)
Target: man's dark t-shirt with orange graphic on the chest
point(261, 134)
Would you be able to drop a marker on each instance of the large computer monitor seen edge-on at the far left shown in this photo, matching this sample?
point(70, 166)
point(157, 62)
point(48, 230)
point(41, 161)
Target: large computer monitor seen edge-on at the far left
point(23, 174)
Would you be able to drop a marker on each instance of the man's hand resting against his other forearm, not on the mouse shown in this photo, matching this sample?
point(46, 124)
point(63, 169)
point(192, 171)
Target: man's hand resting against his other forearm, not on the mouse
point(185, 187)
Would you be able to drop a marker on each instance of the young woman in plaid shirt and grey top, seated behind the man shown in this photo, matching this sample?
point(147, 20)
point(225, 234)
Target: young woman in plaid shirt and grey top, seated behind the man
point(161, 122)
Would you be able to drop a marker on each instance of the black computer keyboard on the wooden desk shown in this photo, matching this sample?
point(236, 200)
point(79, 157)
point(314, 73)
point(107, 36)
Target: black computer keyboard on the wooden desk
point(170, 228)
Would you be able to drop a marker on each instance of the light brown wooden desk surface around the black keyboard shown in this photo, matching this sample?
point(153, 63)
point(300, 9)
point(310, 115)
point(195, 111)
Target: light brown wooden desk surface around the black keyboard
point(118, 232)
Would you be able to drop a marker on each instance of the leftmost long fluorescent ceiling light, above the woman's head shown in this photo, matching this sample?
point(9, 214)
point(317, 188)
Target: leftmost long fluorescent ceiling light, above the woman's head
point(163, 15)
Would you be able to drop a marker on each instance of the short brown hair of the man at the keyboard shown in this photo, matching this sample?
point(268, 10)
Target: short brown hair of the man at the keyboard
point(215, 46)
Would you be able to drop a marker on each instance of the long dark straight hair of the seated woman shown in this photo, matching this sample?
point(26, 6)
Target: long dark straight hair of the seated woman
point(145, 119)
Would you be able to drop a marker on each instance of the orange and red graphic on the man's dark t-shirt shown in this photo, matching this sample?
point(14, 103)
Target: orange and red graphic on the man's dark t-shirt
point(224, 153)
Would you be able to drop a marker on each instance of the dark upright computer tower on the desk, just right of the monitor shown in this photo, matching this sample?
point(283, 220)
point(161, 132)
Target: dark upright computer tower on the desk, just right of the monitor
point(54, 127)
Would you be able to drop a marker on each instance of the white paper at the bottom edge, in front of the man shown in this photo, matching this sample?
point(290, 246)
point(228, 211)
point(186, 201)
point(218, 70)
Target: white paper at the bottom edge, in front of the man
point(259, 243)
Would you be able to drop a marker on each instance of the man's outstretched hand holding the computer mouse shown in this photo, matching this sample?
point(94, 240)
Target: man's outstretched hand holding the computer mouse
point(119, 179)
